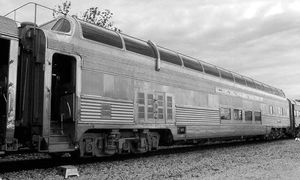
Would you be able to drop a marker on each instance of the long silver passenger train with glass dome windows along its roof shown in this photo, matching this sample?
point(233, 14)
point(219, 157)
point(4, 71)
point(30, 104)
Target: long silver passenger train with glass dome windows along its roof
point(79, 88)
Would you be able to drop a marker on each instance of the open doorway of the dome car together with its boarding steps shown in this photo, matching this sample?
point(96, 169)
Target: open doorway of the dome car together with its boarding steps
point(64, 89)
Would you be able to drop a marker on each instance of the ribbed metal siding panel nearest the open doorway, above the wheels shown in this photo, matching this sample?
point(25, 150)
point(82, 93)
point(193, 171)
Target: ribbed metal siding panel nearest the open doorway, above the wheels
point(121, 112)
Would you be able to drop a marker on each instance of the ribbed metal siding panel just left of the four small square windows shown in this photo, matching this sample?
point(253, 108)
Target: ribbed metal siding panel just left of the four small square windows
point(197, 116)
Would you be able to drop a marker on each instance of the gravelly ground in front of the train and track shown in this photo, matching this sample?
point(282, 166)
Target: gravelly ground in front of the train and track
point(267, 160)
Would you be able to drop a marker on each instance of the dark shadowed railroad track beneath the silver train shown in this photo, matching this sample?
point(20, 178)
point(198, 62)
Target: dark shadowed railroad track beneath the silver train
point(12, 165)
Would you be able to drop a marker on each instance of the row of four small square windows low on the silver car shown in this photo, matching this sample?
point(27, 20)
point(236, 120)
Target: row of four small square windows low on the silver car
point(225, 114)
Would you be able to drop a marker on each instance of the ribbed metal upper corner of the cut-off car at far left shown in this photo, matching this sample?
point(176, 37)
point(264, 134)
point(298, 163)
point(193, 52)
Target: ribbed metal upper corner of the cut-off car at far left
point(8, 27)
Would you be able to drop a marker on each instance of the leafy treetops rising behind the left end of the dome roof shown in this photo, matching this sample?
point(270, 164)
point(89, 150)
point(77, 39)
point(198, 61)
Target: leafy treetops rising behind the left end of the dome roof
point(92, 15)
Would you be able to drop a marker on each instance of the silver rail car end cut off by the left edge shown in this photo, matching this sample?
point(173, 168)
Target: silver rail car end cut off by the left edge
point(8, 80)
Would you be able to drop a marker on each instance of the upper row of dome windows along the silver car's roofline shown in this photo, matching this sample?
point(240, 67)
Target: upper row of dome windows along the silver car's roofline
point(108, 37)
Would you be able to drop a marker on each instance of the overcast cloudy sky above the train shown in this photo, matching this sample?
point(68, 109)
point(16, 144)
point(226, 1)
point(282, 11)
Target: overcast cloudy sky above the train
point(257, 38)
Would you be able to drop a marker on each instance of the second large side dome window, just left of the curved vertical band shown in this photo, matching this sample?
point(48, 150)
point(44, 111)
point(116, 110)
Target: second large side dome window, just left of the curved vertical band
point(138, 46)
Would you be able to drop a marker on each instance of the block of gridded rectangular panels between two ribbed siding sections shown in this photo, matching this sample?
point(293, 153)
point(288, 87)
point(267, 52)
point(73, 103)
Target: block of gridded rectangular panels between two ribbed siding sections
point(154, 106)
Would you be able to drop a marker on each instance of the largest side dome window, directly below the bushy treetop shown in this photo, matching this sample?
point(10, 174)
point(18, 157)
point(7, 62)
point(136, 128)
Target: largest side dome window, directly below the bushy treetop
point(101, 35)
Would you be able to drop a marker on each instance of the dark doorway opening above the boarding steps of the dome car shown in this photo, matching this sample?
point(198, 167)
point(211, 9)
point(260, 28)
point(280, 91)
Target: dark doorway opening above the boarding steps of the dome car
point(63, 95)
